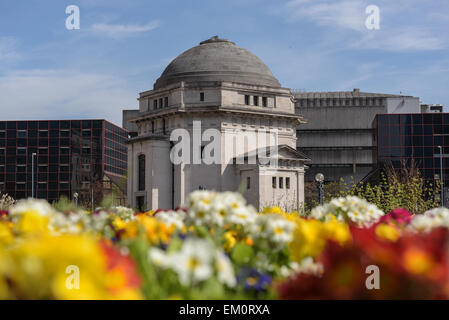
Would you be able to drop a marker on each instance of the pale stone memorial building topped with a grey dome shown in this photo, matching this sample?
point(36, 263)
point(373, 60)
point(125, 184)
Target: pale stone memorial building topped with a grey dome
point(216, 119)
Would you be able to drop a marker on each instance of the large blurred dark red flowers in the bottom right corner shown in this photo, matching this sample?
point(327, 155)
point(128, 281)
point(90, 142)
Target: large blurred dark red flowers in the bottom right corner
point(414, 267)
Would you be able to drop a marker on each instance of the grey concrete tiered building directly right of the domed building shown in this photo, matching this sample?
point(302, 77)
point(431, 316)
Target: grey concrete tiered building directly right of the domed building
point(339, 134)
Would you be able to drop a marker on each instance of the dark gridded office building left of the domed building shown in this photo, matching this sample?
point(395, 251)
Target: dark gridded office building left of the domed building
point(87, 157)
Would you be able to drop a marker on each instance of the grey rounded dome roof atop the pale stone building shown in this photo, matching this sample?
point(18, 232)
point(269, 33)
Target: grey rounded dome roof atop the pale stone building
point(217, 60)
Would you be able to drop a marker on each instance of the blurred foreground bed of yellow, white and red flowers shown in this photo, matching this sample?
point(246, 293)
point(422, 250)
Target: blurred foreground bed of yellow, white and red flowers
point(218, 247)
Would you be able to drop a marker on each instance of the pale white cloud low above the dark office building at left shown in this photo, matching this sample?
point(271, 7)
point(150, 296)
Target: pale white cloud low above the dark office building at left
point(63, 94)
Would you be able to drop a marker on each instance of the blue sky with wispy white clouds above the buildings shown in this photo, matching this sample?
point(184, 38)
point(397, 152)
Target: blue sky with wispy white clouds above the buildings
point(122, 47)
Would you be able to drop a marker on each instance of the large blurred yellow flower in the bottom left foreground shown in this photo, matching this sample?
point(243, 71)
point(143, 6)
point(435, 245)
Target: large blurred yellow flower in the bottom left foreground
point(41, 268)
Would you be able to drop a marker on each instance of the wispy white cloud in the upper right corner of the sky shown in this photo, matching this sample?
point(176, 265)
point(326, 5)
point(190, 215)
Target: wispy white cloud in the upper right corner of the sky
point(401, 29)
